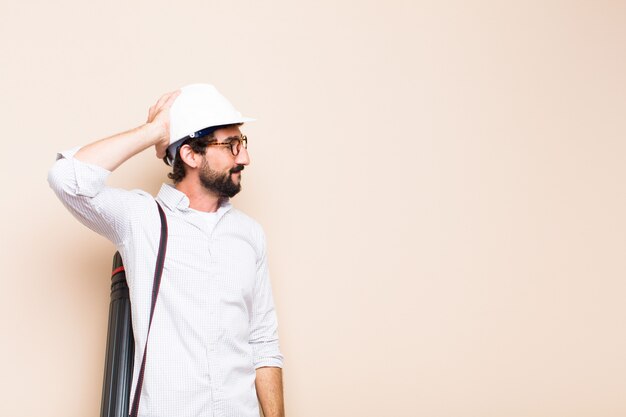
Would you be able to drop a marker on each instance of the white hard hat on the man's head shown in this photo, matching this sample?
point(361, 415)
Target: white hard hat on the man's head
point(199, 107)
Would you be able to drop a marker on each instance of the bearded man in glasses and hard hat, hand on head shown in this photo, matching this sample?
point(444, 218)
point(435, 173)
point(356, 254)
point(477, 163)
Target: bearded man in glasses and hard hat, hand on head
point(213, 346)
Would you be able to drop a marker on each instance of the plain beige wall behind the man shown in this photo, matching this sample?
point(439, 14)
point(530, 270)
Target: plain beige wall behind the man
point(442, 184)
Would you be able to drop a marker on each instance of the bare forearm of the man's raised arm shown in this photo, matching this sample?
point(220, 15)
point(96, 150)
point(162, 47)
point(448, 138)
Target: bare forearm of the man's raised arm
point(111, 152)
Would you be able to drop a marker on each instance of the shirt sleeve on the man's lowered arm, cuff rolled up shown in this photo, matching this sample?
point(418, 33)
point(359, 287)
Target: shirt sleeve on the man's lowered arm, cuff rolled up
point(264, 324)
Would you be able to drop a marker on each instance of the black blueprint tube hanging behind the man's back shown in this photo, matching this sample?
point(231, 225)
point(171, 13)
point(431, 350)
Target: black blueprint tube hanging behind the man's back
point(120, 348)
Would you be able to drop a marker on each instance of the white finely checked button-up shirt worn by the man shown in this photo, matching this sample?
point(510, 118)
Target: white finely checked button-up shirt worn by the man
point(214, 322)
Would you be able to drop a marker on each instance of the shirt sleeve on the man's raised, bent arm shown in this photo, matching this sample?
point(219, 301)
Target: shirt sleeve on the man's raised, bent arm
point(81, 187)
